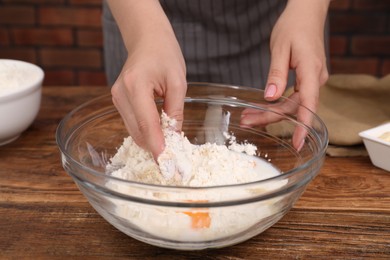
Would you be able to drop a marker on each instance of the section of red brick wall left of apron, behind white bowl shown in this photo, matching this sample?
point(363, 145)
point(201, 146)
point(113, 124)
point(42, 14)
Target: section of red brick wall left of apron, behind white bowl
point(62, 36)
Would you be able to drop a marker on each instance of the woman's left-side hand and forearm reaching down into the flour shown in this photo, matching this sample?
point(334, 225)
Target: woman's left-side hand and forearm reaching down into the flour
point(155, 66)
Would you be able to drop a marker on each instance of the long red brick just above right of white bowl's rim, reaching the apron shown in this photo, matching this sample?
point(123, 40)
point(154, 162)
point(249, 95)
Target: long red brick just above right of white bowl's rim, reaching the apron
point(71, 58)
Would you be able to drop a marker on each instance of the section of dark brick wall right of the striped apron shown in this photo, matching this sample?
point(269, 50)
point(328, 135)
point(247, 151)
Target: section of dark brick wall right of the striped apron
point(360, 36)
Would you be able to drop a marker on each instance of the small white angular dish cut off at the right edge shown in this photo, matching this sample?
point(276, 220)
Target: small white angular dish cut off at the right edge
point(377, 147)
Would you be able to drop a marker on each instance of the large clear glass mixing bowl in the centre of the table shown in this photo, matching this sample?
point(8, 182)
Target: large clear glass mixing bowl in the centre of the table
point(166, 216)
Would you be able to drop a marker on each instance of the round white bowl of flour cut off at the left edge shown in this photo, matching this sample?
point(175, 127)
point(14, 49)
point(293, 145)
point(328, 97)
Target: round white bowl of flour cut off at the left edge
point(20, 97)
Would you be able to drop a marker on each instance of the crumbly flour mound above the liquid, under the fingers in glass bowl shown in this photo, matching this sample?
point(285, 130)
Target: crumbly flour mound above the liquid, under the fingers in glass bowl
point(185, 164)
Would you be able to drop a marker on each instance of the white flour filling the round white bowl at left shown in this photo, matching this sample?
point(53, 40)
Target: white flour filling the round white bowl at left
point(14, 76)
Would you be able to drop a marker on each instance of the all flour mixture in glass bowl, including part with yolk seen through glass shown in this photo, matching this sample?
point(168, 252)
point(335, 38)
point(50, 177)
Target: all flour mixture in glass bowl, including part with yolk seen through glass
point(185, 164)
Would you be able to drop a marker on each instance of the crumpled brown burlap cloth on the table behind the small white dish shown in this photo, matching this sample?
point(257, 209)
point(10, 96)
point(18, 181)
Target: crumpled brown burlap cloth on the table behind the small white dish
point(349, 104)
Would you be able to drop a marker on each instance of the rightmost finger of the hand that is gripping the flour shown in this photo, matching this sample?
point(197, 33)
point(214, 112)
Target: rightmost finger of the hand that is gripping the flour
point(174, 100)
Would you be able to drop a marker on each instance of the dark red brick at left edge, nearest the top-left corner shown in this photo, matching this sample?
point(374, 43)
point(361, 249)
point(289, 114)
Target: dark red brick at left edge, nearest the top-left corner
point(17, 15)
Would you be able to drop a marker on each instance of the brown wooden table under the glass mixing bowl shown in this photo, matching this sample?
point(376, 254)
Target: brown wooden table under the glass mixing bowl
point(344, 213)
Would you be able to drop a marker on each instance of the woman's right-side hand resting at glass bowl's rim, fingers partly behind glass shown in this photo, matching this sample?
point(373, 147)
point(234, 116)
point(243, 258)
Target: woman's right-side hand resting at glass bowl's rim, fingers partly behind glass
point(297, 42)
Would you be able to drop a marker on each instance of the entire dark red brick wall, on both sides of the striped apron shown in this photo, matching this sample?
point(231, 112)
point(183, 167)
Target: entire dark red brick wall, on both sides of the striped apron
point(64, 37)
